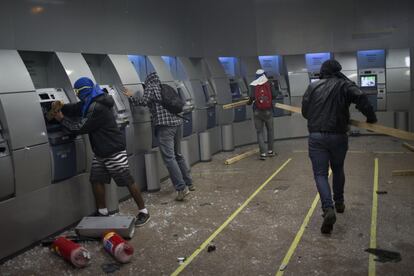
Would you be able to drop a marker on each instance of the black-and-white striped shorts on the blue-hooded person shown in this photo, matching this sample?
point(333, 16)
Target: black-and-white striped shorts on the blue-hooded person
point(115, 166)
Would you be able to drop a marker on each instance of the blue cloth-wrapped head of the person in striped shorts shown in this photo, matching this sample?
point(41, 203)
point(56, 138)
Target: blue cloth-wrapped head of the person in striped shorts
point(86, 91)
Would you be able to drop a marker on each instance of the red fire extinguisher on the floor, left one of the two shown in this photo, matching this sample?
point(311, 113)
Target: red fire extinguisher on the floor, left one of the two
point(72, 252)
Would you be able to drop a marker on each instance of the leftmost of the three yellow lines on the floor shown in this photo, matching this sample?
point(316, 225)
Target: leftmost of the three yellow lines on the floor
point(229, 219)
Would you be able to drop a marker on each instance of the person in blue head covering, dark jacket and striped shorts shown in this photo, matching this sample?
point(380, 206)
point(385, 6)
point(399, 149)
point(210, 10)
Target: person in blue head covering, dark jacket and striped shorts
point(93, 115)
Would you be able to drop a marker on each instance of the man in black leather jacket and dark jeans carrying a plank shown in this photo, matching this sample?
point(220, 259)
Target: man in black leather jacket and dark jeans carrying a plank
point(326, 107)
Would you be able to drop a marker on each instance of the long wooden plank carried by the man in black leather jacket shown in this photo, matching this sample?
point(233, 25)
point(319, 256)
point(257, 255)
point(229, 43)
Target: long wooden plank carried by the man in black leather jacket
point(405, 135)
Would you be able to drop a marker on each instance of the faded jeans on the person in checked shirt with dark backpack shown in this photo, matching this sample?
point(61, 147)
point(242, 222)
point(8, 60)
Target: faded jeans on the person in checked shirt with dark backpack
point(169, 139)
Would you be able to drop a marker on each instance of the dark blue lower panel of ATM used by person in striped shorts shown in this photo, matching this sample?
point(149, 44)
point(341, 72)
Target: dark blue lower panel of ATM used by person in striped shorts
point(64, 161)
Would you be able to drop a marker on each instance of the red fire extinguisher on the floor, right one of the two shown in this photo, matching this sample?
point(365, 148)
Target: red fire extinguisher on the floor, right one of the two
point(118, 247)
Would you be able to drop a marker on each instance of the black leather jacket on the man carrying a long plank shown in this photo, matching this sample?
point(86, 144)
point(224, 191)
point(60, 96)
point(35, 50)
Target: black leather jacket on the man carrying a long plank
point(326, 105)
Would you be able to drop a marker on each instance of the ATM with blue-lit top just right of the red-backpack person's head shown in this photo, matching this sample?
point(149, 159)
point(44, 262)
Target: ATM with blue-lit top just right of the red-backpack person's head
point(275, 71)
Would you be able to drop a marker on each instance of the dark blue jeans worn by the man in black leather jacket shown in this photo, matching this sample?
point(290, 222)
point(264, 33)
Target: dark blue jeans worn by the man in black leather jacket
point(328, 149)
